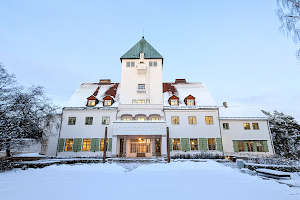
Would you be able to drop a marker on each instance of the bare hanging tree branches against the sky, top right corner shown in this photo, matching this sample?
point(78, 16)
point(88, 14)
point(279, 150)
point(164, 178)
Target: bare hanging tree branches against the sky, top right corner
point(288, 13)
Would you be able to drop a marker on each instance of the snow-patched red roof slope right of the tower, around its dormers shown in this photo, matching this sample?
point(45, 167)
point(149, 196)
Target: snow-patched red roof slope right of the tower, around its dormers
point(182, 90)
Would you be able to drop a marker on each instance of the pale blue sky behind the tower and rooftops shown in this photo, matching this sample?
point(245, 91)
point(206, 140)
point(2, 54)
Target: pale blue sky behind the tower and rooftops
point(233, 46)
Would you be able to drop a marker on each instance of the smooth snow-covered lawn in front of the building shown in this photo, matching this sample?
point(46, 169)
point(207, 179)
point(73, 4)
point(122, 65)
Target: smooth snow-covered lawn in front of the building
point(177, 180)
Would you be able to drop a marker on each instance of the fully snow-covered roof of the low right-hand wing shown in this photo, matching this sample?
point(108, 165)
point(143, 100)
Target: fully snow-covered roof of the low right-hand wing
point(233, 112)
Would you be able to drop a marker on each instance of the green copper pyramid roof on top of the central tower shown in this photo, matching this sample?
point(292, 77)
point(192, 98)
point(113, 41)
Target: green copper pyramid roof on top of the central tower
point(142, 47)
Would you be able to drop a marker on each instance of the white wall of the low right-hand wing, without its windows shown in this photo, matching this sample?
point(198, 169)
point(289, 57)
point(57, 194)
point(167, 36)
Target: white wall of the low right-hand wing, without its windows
point(236, 132)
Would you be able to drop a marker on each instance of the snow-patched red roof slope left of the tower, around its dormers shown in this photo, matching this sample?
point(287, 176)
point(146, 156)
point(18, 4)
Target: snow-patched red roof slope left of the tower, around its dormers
point(85, 90)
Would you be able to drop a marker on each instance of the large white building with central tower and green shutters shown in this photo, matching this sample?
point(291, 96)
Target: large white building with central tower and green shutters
point(137, 113)
